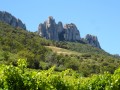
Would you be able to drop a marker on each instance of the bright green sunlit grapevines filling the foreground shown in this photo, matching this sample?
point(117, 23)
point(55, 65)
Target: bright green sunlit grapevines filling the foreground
point(22, 78)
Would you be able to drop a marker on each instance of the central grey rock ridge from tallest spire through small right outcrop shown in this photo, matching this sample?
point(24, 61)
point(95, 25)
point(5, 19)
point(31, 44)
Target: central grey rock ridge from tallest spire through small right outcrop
point(68, 32)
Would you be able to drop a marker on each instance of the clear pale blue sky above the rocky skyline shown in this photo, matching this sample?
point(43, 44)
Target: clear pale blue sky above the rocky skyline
point(96, 17)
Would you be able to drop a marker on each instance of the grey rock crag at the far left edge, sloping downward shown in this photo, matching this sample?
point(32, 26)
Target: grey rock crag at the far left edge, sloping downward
point(9, 19)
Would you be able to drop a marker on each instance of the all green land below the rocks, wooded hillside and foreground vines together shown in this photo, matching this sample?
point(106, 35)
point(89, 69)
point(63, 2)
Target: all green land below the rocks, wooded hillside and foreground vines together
point(30, 62)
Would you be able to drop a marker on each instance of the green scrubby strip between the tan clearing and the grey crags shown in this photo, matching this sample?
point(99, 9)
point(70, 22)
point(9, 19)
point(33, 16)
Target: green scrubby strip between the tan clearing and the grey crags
point(79, 47)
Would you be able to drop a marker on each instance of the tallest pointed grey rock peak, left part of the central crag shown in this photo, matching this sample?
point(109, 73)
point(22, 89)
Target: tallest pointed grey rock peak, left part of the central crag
point(48, 29)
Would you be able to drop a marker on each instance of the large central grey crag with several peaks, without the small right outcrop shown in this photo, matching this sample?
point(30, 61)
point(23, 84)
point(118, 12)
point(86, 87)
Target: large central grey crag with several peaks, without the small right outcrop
point(53, 31)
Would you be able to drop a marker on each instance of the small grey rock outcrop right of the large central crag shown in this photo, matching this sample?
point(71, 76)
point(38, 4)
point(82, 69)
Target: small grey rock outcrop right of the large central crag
point(92, 40)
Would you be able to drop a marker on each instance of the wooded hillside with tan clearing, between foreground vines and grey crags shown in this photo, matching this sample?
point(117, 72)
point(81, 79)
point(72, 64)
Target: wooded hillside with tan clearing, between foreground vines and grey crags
point(17, 43)
